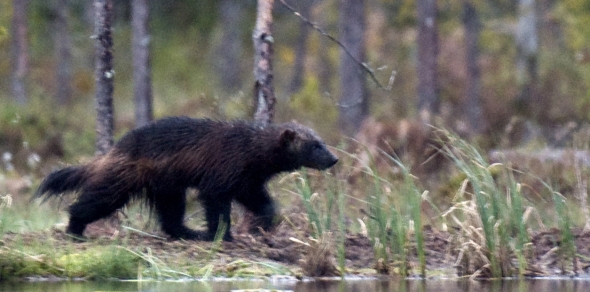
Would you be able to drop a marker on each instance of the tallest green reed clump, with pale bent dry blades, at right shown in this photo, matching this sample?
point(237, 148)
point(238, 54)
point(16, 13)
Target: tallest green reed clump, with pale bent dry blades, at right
point(499, 208)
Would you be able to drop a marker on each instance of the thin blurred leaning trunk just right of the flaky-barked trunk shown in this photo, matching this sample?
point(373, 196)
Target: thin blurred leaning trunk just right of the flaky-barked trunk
point(301, 48)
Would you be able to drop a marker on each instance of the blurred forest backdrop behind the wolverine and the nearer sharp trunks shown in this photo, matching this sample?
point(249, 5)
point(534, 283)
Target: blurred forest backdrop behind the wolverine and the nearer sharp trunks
point(505, 73)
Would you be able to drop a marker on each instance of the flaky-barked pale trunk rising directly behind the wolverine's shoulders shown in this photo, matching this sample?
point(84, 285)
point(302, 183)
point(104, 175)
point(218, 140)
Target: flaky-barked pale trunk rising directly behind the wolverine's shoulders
point(263, 46)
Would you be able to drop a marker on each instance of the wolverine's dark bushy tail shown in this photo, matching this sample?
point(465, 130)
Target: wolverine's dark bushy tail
point(61, 181)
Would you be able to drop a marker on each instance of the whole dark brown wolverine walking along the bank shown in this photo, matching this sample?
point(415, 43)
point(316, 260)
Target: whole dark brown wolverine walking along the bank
point(225, 161)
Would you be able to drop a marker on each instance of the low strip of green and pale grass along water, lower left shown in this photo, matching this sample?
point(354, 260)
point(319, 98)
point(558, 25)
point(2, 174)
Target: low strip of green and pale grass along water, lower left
point(119, 260)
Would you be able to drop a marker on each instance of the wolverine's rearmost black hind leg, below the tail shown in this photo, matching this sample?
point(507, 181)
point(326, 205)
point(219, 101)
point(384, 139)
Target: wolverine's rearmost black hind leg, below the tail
point(91, 206)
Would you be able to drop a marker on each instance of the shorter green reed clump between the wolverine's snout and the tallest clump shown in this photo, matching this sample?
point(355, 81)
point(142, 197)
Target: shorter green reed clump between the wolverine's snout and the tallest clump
point(394, 214)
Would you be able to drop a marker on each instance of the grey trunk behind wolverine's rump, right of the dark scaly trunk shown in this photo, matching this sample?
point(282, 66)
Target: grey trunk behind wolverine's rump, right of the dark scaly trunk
point(142, 84)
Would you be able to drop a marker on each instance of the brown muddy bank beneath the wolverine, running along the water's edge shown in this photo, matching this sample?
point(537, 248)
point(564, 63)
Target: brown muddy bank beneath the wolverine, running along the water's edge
point(290, 246)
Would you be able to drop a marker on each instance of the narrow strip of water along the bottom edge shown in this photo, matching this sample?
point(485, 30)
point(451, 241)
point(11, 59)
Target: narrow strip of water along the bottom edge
point(540, 285)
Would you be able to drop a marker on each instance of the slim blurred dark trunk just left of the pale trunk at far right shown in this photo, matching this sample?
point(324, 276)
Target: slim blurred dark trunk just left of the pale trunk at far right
point(472, 27)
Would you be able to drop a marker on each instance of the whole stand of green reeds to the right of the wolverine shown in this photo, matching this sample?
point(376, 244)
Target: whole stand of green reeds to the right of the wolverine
point(490, 213)
